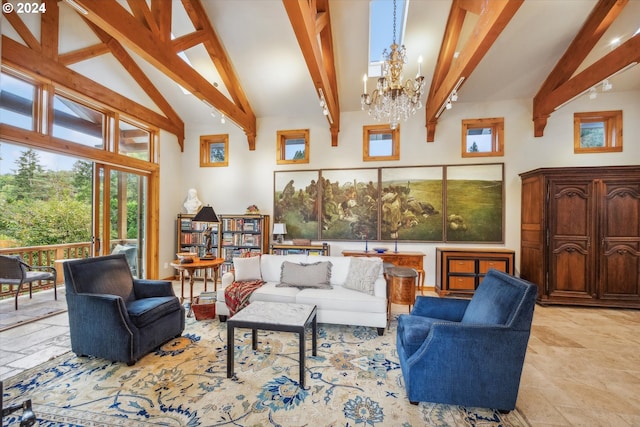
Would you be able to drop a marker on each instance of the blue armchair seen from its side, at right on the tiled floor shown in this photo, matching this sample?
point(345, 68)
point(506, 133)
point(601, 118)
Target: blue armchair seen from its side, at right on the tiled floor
point(468, 352)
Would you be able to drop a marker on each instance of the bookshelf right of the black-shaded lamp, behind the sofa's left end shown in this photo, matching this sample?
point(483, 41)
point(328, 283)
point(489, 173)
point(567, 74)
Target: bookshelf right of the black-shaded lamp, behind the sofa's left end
point(240, 234)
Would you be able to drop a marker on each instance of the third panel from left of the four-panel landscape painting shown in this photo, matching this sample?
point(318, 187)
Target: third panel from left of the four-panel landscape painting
point(411, 204)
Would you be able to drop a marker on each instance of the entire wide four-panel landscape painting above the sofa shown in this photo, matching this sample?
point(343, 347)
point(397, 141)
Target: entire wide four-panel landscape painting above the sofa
point(446, 203)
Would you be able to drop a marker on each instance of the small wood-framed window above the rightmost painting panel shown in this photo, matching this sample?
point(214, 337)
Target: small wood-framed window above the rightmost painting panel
point(483, 137)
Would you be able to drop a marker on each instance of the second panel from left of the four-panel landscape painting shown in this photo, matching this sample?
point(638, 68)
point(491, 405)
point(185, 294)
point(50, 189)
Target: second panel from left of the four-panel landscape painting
point(349, 208)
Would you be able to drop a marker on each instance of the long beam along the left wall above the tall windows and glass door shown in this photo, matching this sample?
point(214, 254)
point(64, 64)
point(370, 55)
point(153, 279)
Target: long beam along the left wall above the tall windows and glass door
point(21, 57)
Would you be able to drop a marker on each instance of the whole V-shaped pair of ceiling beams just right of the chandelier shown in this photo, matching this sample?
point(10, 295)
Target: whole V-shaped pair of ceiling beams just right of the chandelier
point(450, 74)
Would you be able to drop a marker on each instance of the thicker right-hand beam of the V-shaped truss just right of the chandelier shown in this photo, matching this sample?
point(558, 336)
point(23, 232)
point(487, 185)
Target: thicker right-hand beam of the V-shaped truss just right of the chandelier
point(495, 16)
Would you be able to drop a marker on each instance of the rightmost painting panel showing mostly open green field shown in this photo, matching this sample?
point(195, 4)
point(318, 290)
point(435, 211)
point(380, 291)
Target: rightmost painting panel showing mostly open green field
point(475, 203)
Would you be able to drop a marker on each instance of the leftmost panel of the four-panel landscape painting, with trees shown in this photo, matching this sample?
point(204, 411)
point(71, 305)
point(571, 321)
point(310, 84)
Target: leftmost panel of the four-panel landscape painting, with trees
point(296, 203)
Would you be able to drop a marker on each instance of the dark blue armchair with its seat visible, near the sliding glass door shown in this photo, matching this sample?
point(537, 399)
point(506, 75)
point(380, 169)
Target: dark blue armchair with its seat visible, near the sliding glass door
point(114, 316)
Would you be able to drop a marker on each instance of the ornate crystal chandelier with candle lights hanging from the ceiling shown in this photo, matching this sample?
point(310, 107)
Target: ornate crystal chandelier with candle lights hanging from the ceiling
point(393, 100)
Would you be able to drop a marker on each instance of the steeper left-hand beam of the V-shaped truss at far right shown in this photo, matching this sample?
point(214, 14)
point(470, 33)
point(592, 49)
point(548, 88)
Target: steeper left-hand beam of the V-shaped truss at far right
point(600, 19)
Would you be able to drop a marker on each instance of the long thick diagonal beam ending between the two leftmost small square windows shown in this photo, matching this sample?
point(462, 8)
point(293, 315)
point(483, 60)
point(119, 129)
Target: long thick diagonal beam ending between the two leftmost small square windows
point(119, 23)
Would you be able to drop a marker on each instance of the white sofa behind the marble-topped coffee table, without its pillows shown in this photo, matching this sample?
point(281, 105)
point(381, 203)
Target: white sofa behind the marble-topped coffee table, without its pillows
point(337, 305)
